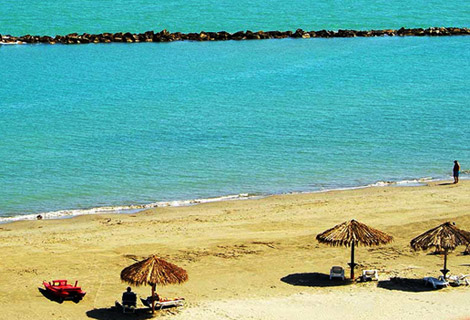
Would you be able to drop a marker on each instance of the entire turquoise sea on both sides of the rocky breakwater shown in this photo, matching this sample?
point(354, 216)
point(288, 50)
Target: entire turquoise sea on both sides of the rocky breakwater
point(87, 126)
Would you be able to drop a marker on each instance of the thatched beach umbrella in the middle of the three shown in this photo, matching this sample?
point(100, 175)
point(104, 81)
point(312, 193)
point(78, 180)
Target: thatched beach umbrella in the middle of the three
point(351, 234)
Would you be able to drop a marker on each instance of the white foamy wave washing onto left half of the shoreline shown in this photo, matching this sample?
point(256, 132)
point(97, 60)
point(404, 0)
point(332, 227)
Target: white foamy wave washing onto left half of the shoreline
point(124, 209)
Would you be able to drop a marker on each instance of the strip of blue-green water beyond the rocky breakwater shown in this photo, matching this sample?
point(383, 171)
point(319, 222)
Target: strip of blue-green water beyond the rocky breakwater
point(95, 16)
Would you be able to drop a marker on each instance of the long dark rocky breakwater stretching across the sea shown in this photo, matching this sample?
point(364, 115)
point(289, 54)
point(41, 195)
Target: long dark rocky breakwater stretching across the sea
point(166, 36)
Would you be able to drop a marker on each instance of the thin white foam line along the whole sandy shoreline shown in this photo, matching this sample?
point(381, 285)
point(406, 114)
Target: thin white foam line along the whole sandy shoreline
point(131, 209)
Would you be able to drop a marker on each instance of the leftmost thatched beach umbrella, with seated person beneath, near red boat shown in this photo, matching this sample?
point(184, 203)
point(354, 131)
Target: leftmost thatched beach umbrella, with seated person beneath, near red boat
point(153, 271)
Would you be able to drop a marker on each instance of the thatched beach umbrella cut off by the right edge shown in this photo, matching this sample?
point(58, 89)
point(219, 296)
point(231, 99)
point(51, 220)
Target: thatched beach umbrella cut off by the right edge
point(443, 237)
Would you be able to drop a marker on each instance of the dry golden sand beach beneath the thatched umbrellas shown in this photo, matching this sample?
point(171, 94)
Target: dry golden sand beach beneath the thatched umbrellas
point(236, 254)
